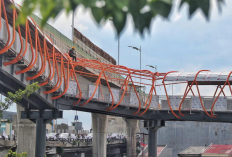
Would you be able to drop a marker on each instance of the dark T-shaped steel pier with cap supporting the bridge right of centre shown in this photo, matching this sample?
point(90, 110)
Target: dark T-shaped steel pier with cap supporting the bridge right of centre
point(153, 127)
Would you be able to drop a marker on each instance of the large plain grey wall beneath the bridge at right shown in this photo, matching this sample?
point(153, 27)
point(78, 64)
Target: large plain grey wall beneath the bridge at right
point(181, 135)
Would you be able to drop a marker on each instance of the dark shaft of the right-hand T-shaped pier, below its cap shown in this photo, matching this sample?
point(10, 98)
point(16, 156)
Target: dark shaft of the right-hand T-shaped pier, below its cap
point(152, 142)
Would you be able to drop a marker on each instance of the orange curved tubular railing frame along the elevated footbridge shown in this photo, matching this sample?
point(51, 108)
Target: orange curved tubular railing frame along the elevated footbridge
point(61, 67)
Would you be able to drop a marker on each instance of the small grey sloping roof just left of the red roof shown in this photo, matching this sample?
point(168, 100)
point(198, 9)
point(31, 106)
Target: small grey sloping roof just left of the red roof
point(193, 151)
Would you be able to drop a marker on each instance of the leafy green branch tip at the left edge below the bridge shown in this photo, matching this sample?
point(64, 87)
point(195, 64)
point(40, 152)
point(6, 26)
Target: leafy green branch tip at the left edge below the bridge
point(14, 98)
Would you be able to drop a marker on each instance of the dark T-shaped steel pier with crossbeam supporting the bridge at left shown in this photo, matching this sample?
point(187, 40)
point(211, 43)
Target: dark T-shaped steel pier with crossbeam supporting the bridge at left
point(41, 118)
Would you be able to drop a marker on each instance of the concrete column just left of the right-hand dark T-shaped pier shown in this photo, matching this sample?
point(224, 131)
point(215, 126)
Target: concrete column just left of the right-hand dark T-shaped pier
point(131, 127)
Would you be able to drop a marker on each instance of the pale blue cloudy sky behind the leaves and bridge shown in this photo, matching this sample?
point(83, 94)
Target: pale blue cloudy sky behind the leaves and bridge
point(179, 44)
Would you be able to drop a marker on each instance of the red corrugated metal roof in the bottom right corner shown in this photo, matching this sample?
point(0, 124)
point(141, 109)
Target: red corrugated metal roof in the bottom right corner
point(219, 149)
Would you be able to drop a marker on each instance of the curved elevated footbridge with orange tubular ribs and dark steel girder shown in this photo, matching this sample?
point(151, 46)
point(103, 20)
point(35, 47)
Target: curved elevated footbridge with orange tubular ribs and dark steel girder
point(28, 55)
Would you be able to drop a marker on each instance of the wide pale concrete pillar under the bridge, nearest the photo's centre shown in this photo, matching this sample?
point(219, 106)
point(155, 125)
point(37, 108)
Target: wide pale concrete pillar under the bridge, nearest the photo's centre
point(99, 122)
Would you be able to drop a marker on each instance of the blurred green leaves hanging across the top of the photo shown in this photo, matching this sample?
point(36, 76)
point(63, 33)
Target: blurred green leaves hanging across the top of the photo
point(142, 11)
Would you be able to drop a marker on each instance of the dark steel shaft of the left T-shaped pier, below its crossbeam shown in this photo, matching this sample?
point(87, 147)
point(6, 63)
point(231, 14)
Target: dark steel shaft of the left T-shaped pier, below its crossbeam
point(40, 137)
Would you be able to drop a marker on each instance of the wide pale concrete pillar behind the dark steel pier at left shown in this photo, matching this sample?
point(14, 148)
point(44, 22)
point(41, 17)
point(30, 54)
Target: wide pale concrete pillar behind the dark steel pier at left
point(26, 133)
